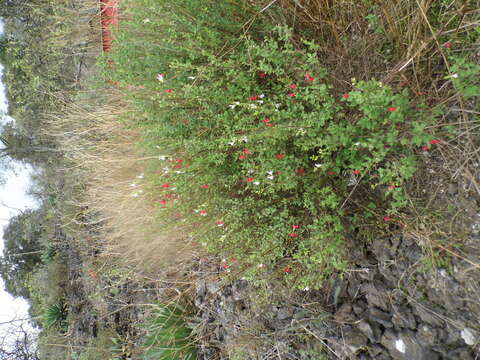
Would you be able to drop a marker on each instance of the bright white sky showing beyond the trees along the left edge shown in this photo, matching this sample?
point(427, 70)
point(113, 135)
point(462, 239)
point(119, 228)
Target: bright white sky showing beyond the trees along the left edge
point(13, 199)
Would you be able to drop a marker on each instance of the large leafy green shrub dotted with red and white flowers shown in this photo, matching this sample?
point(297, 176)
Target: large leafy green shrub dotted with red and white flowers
point(258, 150)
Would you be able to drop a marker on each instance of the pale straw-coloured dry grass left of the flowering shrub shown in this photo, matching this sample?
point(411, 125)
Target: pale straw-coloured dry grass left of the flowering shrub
point(116, 200)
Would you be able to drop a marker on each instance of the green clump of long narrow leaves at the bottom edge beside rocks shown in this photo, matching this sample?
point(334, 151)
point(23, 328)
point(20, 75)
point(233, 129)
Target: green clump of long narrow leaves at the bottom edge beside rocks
point(168, 335)
